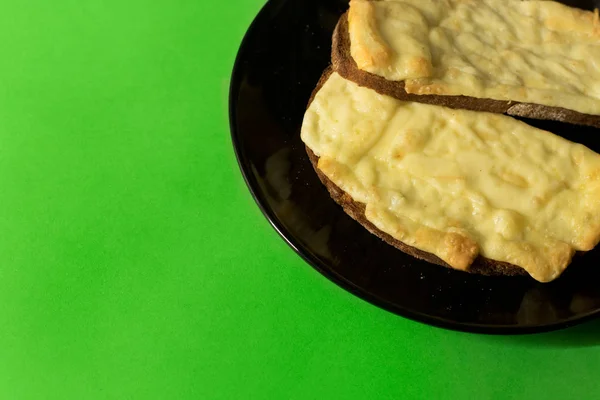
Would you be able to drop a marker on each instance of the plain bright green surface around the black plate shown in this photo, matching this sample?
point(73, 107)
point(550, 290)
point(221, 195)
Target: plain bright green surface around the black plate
point(136, 264)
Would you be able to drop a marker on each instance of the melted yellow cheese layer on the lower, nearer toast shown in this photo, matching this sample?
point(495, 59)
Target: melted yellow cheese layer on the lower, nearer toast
point(458, 183)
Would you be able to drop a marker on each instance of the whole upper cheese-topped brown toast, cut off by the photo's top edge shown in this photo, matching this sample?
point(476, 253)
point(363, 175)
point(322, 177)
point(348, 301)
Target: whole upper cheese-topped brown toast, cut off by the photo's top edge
point(566, 89)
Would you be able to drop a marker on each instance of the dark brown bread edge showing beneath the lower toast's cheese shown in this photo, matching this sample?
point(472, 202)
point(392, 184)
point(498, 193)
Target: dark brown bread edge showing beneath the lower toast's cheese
point(356, 210)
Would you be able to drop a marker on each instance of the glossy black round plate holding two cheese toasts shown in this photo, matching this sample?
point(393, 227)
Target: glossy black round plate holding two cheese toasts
point(280, 60)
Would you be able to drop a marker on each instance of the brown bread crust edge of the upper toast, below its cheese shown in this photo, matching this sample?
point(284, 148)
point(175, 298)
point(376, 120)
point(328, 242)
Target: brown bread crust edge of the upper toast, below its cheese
point(344, 64)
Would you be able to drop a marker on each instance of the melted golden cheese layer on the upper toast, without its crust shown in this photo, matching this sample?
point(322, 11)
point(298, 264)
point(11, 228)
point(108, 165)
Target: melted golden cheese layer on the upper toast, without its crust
point(538, 52)
